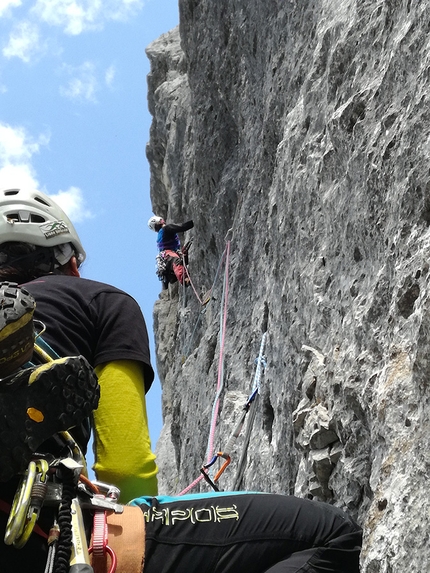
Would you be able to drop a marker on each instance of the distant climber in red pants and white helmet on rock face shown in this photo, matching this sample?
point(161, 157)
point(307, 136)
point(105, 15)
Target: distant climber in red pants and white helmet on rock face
point(171, 256)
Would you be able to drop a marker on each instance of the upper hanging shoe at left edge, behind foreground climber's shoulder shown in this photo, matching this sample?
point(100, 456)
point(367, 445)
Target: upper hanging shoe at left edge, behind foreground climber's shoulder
point(16, 327)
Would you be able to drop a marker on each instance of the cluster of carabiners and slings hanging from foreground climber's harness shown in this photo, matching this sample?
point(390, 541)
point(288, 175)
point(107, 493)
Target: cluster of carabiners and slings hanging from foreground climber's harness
point(59, 483)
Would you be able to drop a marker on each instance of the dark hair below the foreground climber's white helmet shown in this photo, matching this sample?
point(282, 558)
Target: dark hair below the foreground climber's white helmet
point(23, 262)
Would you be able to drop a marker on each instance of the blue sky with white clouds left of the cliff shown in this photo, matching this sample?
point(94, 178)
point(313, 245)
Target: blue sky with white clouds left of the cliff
point(74, 122)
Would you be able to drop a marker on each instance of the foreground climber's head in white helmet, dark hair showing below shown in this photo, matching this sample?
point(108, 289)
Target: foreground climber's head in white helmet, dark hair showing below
point(36, 237)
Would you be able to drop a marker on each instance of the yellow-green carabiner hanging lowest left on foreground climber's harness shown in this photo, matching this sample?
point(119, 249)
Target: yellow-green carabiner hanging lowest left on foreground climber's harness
point(27, 504)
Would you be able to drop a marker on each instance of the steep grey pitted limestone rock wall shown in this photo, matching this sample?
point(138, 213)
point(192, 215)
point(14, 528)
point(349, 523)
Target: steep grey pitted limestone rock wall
point(297, 135)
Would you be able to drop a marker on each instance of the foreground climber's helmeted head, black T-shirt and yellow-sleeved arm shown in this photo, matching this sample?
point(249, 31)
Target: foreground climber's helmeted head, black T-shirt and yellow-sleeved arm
point(40, 249)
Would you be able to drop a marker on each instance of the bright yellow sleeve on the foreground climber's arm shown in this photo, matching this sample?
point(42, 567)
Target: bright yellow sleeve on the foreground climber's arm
point(122, 447)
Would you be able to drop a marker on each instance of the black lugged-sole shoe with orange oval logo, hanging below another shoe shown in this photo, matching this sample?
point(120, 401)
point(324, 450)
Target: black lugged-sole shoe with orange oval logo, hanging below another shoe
point(38, 402)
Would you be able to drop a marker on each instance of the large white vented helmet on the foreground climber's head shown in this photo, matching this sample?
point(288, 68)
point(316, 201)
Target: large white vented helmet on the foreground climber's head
point(29, 216)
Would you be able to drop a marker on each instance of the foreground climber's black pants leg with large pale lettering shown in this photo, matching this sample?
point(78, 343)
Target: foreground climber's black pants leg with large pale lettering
point(250, 533)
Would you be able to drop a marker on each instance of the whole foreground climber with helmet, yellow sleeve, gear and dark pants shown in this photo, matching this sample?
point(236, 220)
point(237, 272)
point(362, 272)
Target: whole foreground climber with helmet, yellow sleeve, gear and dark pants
point(50, 513)
